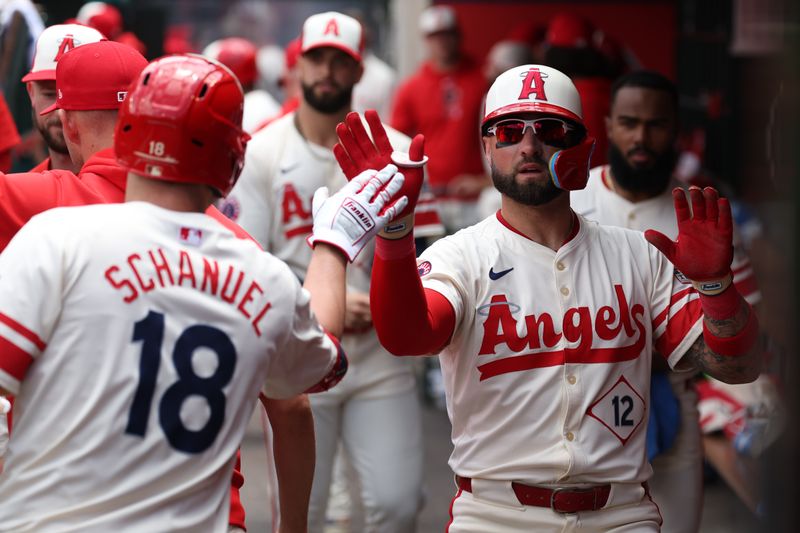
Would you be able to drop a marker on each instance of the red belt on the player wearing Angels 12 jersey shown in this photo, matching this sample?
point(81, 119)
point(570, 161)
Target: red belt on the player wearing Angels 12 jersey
point(560, 500)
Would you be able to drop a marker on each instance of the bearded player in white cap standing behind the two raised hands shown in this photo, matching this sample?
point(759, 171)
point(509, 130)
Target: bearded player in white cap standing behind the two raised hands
point(375, 411)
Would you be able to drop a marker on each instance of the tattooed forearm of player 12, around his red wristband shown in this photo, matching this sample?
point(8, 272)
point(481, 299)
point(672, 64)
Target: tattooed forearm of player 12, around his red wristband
point(741, 368)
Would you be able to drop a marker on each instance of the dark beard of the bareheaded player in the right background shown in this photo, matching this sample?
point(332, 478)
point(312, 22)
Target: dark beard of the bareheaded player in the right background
point(651, 180)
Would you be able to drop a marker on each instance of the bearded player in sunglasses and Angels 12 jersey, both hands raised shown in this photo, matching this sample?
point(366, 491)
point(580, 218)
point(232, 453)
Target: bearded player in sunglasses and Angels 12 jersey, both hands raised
point(546, 323)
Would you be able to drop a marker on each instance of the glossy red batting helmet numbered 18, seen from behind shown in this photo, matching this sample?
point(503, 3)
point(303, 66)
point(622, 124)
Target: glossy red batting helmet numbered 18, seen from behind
point(182, 122)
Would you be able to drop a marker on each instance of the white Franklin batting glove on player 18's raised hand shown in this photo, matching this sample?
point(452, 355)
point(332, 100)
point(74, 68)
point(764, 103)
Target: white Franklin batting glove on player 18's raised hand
point(352, 216)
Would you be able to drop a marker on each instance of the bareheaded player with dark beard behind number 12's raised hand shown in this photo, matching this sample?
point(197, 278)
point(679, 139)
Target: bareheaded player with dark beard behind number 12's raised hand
point(634, 191)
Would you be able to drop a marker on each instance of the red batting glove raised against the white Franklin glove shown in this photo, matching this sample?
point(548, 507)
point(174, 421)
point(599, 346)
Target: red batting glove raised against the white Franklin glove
point(356, 152)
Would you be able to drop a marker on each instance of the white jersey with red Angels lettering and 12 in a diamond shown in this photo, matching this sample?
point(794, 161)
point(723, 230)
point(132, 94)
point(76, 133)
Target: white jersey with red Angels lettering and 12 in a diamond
point(548, 369)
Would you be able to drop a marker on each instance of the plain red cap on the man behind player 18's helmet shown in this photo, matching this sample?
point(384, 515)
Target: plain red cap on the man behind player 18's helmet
point(96, 76)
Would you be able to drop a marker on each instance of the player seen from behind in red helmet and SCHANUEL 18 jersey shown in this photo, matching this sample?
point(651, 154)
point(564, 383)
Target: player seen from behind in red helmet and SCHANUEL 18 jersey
point(181, 321)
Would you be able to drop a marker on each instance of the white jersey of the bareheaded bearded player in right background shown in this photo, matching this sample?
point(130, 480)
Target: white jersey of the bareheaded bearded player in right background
point(598, 202)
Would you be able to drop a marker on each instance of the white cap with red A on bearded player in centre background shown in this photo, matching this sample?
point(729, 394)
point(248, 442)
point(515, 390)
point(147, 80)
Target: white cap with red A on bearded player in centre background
point(334, 30)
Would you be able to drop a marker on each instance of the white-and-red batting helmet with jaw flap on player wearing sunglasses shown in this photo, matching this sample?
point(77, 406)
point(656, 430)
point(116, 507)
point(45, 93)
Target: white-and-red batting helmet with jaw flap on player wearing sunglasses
point(542, 89)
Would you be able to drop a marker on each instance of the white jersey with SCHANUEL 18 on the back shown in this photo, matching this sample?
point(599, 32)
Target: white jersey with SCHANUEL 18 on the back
point(136, 340)
